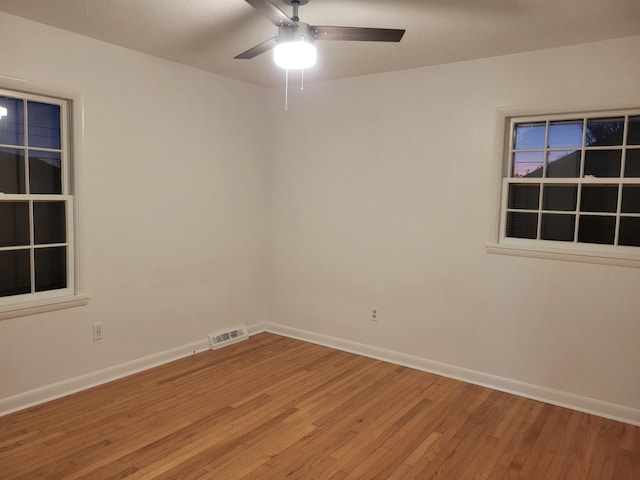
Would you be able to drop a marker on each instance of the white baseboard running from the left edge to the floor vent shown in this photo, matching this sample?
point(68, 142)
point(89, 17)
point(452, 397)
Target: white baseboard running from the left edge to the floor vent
point(99, 377)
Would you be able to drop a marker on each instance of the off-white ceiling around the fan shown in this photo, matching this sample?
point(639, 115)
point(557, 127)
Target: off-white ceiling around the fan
point(207, 34)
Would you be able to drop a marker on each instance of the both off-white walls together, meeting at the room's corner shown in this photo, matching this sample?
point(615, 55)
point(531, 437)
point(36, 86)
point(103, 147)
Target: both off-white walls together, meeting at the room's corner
point(380, 191)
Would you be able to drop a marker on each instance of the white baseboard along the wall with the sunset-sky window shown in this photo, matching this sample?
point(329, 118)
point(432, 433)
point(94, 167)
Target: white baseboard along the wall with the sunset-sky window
point(528, 390)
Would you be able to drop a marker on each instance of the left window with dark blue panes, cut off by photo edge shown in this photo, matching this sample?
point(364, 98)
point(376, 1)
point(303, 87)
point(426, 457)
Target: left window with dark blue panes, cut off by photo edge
point(37, 255)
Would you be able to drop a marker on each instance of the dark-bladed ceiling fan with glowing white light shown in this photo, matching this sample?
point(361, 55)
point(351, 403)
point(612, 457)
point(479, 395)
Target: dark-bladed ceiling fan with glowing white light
point(294, 48)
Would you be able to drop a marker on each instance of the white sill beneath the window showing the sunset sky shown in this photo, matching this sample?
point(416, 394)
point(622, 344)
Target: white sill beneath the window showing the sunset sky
point(554, 253)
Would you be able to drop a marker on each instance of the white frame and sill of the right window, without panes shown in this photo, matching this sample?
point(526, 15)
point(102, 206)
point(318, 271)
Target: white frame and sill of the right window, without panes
point(557, 250)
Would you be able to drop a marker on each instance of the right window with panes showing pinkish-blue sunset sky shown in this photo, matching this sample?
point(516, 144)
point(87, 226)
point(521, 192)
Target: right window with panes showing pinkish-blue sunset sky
point(572, 183)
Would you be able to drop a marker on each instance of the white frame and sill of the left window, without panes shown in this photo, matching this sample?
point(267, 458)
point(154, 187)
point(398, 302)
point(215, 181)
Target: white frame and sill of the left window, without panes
point(71, 148)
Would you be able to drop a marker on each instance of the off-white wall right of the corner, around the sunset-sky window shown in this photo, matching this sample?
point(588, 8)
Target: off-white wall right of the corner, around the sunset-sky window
point(384, 190)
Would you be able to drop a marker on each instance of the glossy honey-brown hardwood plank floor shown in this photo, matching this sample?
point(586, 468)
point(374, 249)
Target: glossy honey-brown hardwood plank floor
point(277, 408)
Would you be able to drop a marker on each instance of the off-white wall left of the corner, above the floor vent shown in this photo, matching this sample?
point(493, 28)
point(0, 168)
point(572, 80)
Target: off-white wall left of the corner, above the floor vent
point(172, 206)
